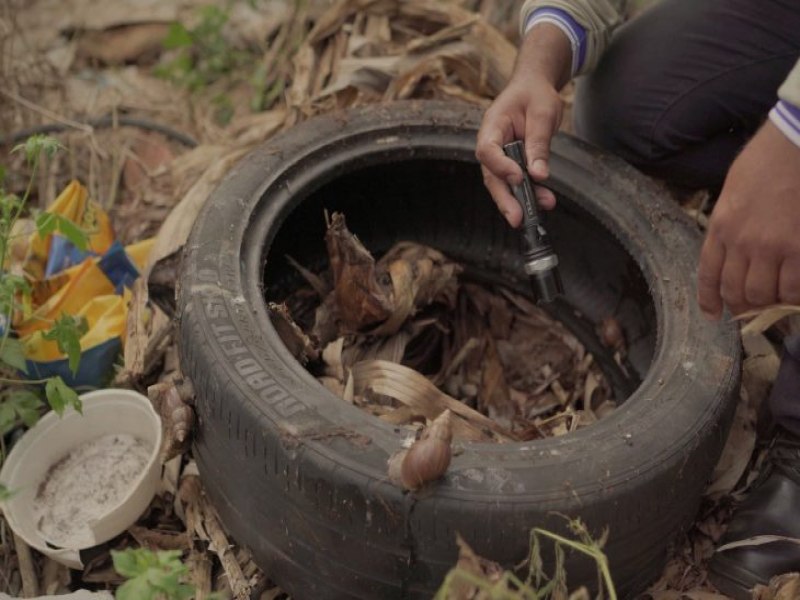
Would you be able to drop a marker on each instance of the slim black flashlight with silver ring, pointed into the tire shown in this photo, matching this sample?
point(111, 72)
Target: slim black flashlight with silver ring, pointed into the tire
point(541, 263)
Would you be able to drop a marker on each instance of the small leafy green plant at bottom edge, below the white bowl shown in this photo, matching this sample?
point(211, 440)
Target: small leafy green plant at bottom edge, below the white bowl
point(152, 575)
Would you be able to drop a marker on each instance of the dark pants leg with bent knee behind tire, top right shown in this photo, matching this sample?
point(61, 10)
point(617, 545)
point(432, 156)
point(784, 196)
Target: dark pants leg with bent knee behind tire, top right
point(683, 86)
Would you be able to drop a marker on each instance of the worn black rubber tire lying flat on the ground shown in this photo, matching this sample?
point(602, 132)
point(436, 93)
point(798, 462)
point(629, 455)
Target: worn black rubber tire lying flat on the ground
point(299, 477)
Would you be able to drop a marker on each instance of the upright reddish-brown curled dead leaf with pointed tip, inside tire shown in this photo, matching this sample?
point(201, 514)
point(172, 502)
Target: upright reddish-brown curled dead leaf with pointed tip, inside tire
point(362, 299)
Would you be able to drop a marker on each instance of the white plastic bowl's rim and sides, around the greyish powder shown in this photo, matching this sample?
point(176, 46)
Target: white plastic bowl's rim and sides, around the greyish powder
point(109, 411)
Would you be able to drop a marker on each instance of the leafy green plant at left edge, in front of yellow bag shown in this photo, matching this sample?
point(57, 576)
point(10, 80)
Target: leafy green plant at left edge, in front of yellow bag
point(20, 399)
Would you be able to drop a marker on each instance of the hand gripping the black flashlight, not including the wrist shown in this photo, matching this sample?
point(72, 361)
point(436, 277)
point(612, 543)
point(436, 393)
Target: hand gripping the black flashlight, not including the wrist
point(528, 109)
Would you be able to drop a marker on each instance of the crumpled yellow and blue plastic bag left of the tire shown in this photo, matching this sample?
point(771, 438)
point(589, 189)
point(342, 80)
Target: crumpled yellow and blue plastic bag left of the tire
point(92, 284)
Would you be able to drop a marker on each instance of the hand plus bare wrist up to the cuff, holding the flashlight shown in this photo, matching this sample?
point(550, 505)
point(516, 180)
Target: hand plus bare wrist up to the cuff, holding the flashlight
point(529, 108)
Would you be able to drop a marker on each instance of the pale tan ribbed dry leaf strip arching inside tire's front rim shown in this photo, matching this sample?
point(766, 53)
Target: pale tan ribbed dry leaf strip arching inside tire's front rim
point(412, 389)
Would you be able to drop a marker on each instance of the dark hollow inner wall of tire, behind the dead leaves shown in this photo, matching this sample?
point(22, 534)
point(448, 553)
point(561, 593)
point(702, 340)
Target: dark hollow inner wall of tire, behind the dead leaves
point(443, 203)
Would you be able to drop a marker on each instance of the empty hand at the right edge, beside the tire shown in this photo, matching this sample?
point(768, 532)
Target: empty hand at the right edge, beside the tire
point(751, 255)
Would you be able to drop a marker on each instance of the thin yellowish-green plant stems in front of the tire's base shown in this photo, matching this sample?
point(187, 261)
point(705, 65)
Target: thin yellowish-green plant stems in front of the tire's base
point(537, 586)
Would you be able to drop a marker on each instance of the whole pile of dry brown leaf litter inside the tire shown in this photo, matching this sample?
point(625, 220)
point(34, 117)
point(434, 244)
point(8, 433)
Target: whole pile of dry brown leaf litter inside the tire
point(409, 337)
